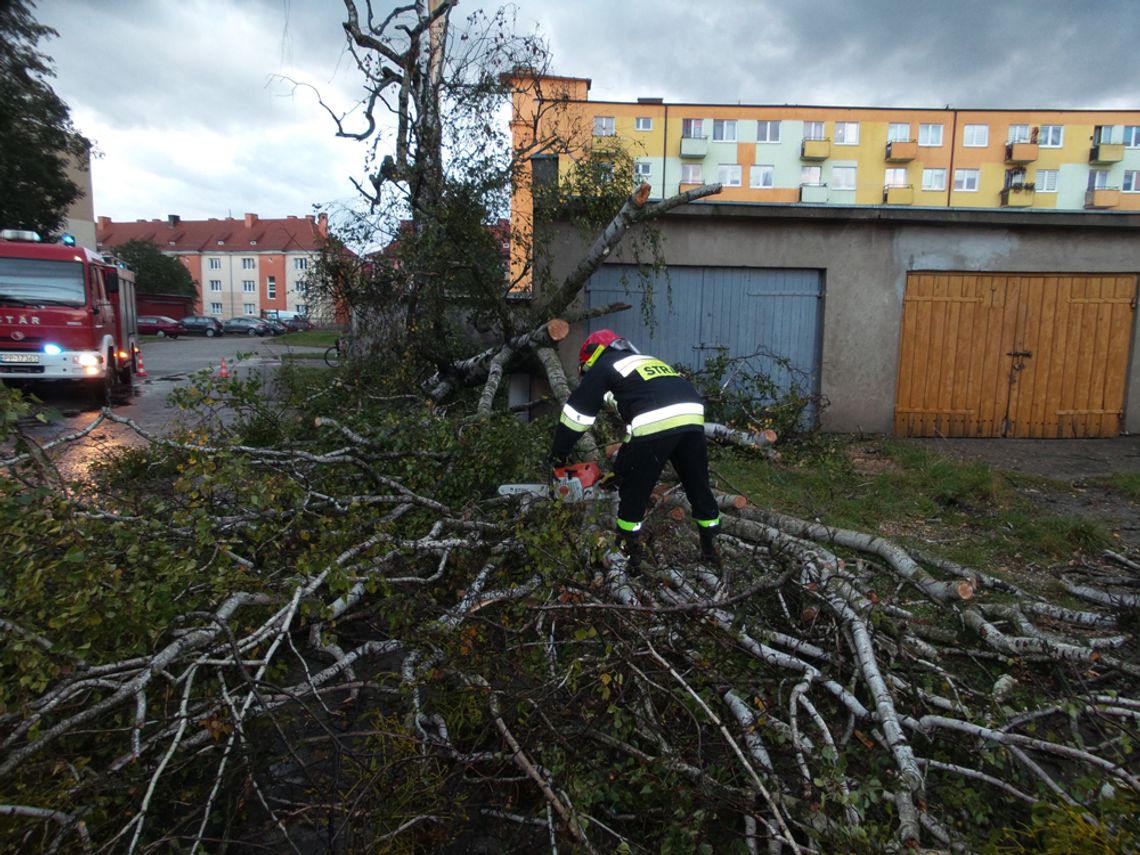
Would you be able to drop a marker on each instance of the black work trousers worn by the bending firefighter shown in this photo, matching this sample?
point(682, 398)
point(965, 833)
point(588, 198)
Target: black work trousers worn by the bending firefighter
point(640, 463)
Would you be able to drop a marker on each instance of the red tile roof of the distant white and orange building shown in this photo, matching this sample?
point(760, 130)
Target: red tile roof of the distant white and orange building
point(251, 234)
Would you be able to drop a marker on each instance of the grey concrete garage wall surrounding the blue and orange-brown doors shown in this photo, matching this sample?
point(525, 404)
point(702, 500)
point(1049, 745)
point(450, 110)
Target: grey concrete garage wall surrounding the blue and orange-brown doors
point(866, 256)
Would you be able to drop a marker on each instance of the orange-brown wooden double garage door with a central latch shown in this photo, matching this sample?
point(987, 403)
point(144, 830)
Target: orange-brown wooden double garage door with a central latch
point(1014, 356)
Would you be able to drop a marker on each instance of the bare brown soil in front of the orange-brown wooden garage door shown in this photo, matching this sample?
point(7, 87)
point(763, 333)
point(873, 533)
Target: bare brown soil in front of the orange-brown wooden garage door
point(1069, 475)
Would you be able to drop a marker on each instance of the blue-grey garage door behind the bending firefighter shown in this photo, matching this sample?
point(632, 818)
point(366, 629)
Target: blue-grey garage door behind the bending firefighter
point(771, 317)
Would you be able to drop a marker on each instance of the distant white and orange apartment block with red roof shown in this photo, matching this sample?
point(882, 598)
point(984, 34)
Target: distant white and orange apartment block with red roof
point(243, 267)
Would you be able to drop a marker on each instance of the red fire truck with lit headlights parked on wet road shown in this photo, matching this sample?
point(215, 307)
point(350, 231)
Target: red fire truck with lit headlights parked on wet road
point(67, 314)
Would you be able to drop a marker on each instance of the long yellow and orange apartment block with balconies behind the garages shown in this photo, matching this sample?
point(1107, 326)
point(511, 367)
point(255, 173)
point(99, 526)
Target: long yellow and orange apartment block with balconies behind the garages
point(837, 156)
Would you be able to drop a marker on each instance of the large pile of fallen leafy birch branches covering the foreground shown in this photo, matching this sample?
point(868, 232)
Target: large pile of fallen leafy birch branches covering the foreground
point(311, 633)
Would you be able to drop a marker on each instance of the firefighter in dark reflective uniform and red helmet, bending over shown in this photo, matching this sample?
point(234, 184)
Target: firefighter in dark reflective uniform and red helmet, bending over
point(665, 424)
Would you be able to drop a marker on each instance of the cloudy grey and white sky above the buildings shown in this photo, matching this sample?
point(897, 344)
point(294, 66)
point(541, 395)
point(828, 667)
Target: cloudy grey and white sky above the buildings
point(189, 107)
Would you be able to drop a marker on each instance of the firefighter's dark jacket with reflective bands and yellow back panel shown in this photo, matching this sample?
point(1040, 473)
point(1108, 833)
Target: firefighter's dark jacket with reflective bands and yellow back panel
point(653, 400)
